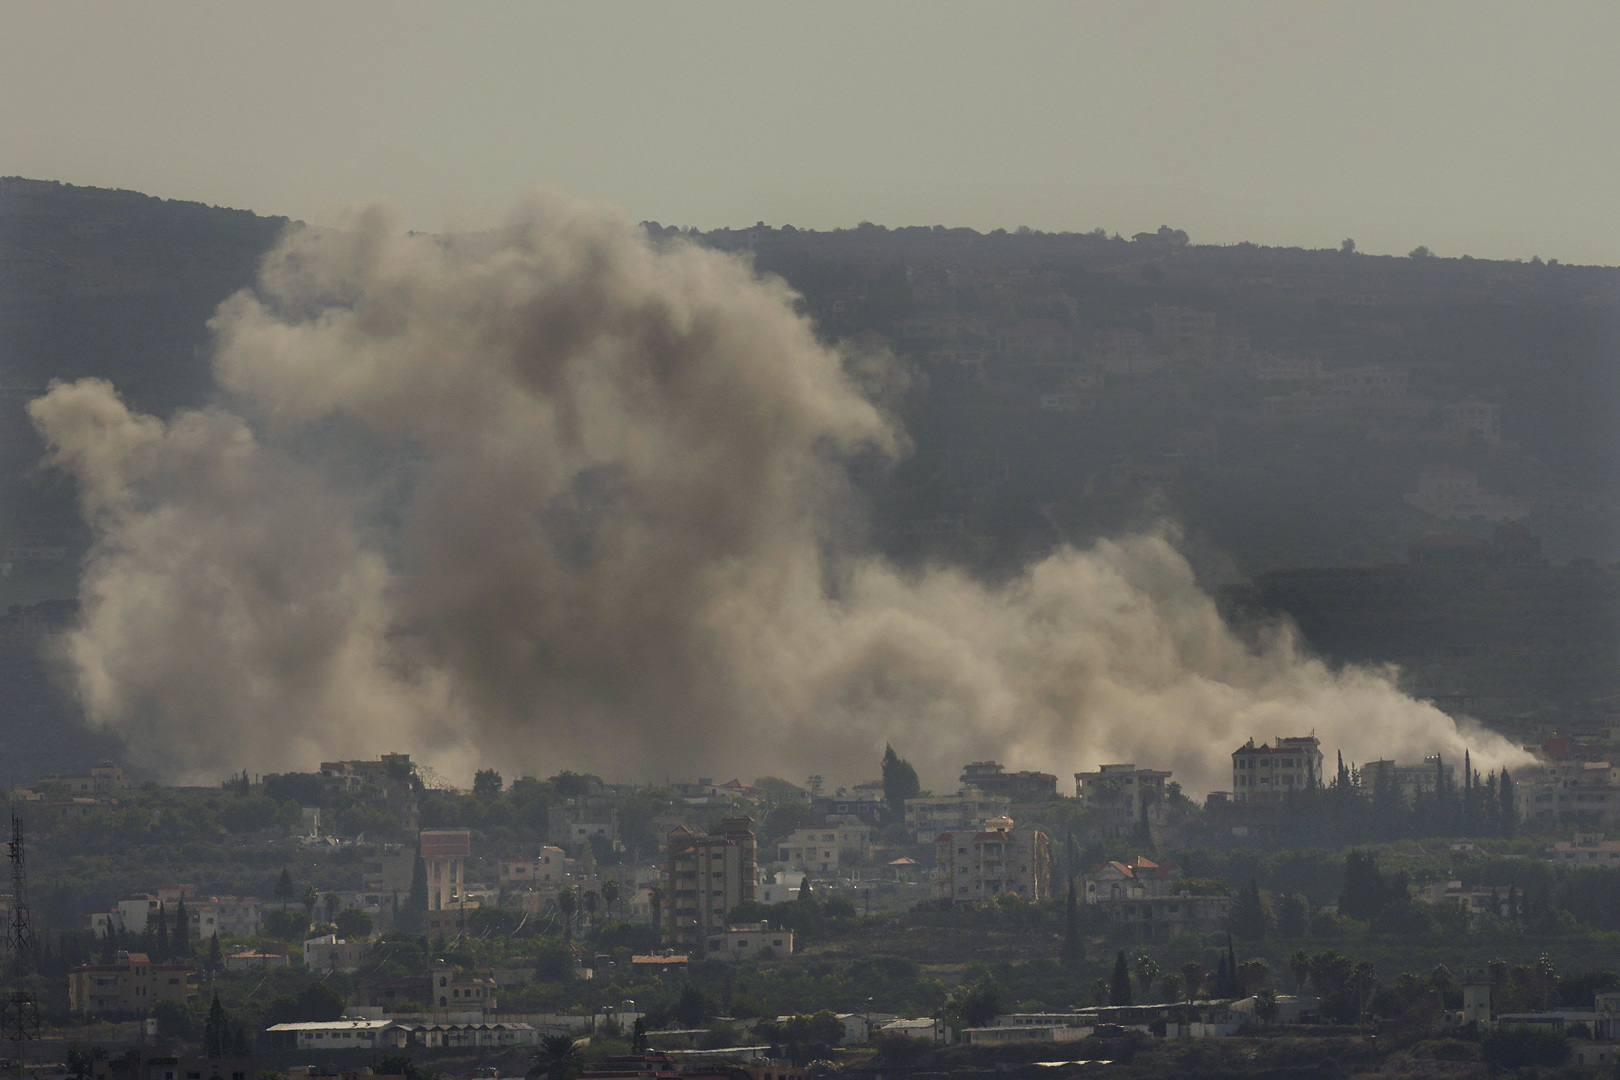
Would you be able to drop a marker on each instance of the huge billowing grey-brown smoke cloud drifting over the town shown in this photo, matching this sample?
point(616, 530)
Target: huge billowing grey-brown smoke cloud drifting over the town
point(612, 545)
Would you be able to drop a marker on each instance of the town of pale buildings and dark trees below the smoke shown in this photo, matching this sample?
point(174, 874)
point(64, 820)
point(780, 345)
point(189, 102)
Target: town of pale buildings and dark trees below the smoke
point(372, 912)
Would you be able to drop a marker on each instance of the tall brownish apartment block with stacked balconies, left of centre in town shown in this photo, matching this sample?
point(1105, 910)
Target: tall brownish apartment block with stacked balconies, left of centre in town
point(706, 877)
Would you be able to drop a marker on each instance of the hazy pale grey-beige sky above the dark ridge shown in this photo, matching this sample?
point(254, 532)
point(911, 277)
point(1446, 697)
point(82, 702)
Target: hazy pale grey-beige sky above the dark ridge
point(1481, 129)
